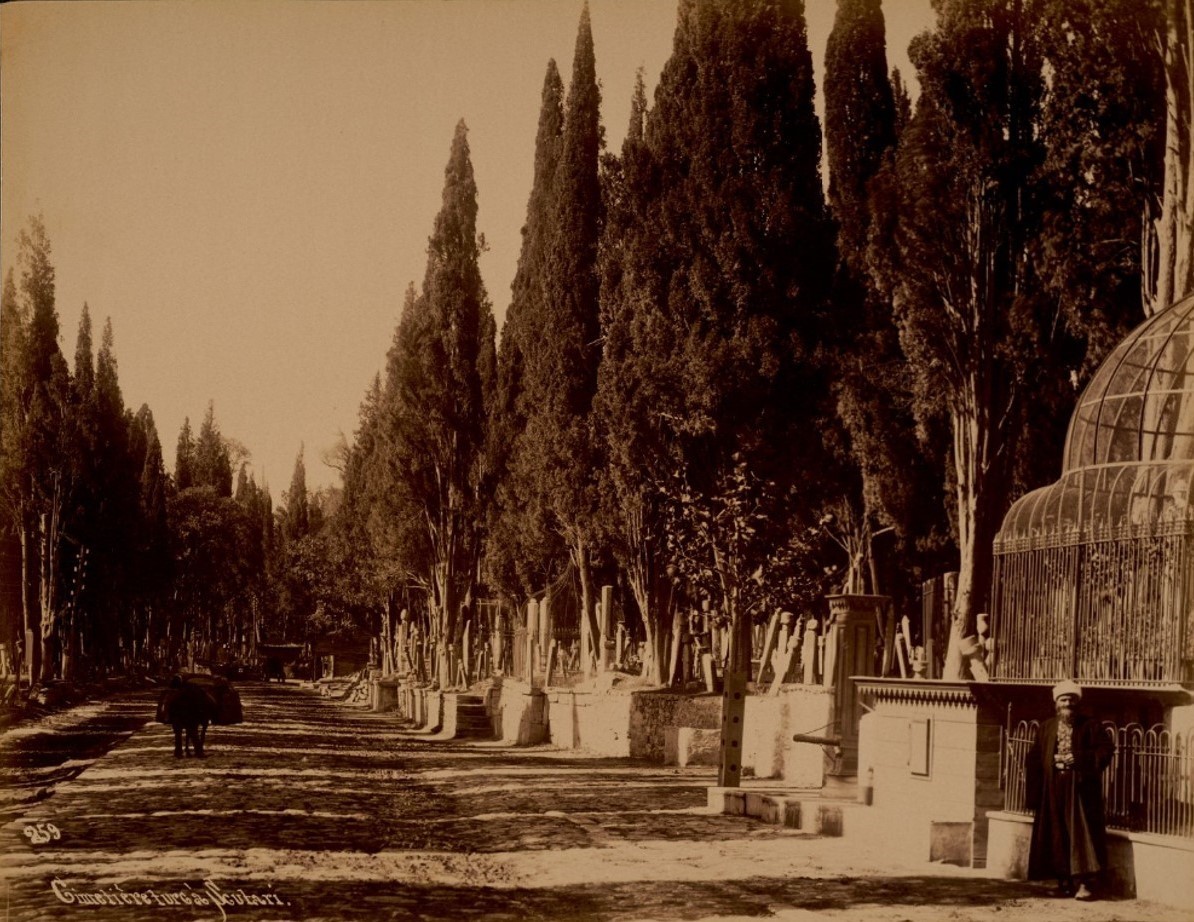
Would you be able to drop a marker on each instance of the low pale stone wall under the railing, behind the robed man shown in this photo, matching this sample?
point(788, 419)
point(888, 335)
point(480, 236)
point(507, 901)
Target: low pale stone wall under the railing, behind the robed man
point(1141, 865)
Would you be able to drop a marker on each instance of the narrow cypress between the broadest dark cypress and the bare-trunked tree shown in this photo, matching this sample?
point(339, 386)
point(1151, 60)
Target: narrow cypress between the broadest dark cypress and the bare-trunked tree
point(871, 377)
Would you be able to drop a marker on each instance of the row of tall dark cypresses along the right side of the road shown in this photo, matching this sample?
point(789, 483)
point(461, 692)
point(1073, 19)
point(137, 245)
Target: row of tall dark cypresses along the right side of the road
point(711, 376)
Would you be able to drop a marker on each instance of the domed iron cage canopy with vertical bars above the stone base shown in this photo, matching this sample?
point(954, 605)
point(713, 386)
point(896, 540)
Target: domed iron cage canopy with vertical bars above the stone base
point(1094, 575)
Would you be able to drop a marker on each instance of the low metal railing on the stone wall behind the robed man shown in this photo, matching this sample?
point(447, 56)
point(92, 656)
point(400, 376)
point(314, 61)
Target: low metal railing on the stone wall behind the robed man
point(1149, 786)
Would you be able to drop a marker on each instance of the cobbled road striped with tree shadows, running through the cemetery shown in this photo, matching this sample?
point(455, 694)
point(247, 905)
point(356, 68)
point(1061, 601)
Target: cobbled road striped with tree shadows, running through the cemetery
point(312, 810)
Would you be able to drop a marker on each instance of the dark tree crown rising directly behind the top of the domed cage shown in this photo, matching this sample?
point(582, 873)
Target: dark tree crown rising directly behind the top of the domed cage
point(1103, 127)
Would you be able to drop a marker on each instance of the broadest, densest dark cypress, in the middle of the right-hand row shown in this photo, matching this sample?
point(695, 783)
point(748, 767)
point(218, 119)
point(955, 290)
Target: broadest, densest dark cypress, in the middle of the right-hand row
point(713, 329)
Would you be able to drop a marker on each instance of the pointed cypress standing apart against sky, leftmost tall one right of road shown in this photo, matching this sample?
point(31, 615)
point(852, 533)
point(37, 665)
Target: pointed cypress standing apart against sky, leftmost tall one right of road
point(434, 415)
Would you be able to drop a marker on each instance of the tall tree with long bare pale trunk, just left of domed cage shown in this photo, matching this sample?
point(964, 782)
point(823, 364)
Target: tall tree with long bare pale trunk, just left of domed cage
point(963, 285)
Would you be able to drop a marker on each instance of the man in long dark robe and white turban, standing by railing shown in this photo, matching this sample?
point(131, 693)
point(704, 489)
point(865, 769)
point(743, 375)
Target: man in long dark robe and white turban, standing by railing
point(1064, 785)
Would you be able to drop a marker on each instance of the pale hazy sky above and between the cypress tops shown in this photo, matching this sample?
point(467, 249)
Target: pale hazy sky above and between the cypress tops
point(248, 188)
